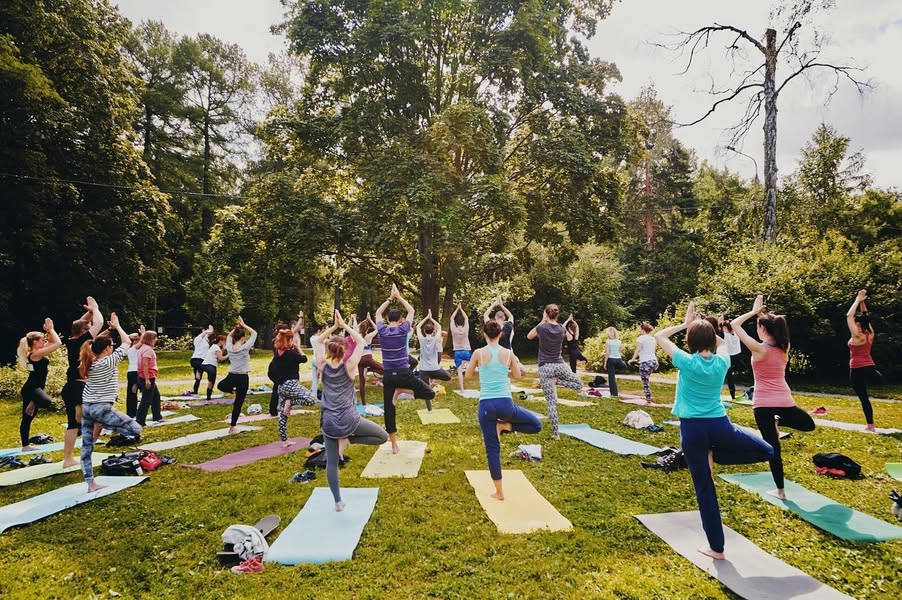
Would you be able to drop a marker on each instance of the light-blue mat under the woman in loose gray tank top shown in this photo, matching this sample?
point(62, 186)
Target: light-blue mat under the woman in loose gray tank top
point(318, 534)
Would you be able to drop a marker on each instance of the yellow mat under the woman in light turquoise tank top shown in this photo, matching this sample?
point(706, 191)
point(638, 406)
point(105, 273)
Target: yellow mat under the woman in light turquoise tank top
point(523, 510)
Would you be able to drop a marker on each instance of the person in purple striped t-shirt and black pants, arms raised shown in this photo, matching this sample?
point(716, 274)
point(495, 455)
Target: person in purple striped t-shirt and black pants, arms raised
point(393, 339)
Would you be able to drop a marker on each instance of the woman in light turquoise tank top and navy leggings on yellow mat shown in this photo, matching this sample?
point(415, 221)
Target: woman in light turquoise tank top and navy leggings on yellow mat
point(497, 412)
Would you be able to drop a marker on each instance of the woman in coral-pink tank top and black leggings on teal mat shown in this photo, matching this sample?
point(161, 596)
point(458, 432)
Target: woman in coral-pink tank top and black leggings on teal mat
point(773, 403)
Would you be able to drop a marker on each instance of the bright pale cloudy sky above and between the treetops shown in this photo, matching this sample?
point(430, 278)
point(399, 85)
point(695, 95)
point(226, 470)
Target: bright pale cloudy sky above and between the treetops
point(865, 33)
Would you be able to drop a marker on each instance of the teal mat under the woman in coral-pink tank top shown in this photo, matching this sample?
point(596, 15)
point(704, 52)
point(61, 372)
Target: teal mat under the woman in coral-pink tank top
point(842, 521)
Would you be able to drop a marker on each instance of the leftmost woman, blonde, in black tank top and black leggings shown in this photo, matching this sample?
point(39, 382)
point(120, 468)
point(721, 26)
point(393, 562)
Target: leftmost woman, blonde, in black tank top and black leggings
point(32, 353)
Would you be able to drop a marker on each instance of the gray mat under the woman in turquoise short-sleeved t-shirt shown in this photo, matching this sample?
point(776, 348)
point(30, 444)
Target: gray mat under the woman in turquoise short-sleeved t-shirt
point(748, 571)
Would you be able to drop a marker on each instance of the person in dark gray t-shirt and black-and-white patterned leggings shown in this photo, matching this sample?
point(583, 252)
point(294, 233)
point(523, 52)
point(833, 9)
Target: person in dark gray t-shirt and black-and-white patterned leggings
point(553, 371)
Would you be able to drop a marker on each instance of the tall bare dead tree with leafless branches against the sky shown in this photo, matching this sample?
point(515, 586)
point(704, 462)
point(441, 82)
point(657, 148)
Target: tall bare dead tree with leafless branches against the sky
point(758, 86)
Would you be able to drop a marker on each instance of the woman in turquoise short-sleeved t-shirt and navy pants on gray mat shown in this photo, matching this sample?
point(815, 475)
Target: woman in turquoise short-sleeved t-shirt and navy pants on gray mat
point(706, 434)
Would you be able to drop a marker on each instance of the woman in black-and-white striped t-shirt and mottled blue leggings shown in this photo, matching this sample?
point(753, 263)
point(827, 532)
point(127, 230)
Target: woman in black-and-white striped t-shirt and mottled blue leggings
point(98, 367)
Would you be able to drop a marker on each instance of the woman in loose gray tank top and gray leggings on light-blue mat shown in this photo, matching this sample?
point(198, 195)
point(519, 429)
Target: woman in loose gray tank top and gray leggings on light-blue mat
point(341, 423)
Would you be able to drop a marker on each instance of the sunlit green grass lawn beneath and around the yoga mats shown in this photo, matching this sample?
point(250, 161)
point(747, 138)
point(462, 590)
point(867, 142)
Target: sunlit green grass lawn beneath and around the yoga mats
point(428, 536)
